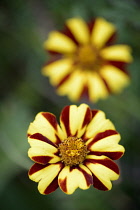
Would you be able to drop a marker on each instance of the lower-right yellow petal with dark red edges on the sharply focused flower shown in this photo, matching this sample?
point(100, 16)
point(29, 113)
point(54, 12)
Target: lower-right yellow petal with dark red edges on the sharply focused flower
point(104, 170)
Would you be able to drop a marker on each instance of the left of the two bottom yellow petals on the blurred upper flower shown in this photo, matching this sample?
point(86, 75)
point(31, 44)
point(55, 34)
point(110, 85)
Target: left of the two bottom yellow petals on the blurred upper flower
point(73, 86)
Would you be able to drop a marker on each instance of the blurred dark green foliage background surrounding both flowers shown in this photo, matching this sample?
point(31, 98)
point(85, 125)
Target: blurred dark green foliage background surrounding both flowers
point(24, 26)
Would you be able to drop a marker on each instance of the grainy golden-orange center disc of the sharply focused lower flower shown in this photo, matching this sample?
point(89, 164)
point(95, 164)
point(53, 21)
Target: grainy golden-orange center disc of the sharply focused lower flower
point(73, 151)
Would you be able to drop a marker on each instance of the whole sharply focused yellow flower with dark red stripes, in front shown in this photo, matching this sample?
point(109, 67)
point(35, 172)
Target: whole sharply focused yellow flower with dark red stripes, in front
point(78, 153)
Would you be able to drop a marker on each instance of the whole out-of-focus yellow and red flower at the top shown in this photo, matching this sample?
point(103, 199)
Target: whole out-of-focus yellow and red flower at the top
point(84, 62)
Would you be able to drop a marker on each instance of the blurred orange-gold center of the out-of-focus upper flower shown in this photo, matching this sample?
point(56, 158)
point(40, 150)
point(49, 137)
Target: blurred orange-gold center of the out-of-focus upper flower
point(88, 58)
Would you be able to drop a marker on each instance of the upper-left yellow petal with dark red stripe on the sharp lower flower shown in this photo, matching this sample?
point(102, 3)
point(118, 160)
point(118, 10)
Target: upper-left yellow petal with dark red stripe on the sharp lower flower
point(45, 123)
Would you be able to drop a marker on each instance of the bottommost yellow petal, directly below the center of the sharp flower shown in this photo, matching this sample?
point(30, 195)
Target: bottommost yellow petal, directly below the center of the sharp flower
point(70, 179)
